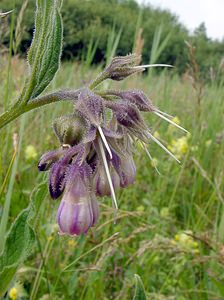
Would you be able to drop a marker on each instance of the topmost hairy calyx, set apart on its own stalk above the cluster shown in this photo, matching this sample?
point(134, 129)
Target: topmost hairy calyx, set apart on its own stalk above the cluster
point(123, 66)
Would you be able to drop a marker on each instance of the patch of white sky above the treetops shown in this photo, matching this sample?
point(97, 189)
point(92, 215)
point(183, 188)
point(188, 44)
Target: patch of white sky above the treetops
point(193, 12)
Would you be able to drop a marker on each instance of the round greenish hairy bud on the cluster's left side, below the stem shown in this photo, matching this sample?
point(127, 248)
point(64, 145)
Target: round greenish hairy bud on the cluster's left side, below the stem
point(70, 129)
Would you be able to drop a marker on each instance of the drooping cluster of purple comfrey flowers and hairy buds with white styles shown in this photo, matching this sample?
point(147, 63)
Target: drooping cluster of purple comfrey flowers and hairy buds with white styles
point(97, 144)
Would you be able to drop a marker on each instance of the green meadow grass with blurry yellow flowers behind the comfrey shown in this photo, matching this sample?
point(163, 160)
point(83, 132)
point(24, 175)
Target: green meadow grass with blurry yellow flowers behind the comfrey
point(170, 227)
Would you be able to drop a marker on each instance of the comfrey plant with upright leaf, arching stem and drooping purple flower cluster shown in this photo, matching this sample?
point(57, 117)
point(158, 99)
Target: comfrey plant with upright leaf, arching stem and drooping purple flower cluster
point(97, 138)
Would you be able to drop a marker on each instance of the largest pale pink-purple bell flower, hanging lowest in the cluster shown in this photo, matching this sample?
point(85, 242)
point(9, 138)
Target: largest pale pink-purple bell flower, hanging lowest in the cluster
point(75, 213)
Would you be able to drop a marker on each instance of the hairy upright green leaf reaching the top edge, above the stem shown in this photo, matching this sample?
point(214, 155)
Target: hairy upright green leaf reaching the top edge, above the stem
point(45, 51)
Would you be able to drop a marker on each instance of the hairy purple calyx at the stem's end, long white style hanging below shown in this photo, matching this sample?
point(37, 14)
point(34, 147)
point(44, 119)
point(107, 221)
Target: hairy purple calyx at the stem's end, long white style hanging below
point(90, 106)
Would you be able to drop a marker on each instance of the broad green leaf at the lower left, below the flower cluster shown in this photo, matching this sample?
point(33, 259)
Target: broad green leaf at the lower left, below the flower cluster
point(20, 240)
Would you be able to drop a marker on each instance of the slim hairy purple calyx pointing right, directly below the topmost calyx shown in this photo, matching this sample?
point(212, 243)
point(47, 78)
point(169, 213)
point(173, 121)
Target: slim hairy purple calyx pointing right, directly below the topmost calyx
point(136, 97)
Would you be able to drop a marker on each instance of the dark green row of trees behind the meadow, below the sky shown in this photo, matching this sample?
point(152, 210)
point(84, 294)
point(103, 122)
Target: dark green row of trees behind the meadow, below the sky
point(92, 21)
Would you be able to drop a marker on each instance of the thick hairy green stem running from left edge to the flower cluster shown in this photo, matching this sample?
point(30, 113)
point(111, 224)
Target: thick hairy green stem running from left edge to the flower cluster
point(20, 108)
